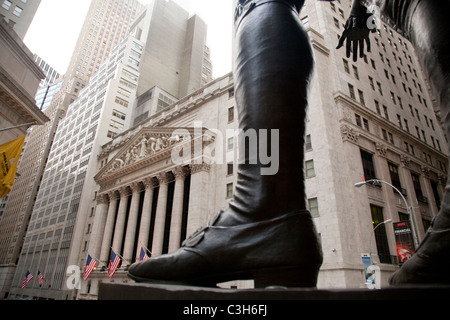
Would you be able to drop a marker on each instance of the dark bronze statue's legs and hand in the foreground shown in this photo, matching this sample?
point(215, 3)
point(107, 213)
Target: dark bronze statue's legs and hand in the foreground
point(267, 234)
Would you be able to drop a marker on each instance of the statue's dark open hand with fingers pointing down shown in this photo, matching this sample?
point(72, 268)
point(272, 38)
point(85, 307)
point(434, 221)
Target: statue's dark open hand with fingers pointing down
point(356, 32)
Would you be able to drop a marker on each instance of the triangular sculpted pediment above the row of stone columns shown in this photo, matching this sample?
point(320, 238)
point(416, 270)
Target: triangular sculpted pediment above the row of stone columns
point(147, 146)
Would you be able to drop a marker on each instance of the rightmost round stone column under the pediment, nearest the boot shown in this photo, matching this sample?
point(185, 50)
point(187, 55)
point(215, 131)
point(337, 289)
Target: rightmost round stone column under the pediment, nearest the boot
point(180, 175)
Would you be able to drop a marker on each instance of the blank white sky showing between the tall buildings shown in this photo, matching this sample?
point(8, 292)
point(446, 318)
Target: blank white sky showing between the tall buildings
point(55, 28)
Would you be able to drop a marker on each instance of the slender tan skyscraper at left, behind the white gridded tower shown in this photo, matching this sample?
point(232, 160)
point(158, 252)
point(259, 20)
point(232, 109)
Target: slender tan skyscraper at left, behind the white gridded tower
point(104, 27)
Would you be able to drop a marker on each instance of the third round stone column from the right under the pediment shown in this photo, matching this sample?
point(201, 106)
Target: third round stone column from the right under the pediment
point(146, 216)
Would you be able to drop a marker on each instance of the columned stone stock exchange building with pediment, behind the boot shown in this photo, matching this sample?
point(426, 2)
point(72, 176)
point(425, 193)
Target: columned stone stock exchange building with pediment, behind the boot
point(160, 181)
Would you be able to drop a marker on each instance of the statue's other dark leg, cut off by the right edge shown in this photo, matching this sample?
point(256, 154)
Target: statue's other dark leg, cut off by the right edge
point(428, 27)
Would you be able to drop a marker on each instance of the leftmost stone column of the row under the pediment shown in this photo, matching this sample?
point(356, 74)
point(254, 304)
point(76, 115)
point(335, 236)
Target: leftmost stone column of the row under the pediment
point(98, 227)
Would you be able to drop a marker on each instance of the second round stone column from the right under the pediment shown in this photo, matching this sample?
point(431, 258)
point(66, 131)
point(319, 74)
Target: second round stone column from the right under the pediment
point(160, 219)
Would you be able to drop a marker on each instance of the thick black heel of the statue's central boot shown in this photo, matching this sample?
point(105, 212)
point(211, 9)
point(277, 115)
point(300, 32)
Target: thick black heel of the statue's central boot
point(291, 277)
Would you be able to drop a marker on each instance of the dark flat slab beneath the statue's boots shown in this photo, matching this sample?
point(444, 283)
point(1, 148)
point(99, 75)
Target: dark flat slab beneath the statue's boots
point(158, 292)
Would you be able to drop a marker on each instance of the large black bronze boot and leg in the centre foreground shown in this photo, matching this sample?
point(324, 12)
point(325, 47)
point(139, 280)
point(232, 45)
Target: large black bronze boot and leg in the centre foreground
point(266, 234)
